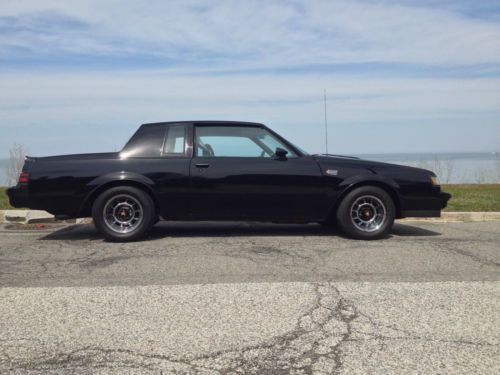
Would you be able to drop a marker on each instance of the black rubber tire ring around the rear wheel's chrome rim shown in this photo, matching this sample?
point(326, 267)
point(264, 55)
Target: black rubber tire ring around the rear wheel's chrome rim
point(147, 222)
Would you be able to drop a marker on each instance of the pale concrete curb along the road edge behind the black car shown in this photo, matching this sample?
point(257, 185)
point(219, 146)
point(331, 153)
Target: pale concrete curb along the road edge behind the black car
point(35, 216)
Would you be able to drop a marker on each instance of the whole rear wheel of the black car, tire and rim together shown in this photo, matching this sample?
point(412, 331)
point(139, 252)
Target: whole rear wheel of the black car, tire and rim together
point(142, 217)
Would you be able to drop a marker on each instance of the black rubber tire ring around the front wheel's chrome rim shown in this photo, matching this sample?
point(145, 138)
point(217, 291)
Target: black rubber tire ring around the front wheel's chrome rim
point(344, 215)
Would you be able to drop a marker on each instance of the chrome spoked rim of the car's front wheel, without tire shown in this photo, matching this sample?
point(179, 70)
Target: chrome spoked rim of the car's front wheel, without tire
point(368, 213)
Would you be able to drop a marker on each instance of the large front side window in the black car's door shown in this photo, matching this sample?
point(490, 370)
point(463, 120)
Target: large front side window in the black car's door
point(236, 141)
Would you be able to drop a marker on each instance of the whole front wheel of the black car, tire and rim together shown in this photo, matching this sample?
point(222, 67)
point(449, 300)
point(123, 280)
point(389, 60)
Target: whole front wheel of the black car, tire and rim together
point(366, 213)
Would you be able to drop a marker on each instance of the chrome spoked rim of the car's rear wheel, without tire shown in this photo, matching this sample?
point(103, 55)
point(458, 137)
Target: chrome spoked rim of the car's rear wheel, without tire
point(123, 213)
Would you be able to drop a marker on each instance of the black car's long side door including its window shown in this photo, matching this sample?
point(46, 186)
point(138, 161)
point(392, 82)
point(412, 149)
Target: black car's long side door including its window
point(236, 175)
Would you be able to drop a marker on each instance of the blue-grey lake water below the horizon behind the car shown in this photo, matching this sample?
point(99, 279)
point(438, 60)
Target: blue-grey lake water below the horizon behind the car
point(481, 167)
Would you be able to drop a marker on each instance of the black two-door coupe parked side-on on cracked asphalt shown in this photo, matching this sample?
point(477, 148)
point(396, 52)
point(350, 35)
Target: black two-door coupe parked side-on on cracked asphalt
point(215, 170)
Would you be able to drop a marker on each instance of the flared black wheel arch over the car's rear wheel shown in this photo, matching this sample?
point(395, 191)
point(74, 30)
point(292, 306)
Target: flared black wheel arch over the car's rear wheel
point(99, 187)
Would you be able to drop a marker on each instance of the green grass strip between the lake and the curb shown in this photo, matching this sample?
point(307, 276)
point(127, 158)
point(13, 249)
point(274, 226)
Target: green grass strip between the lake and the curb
point(465, 197)
